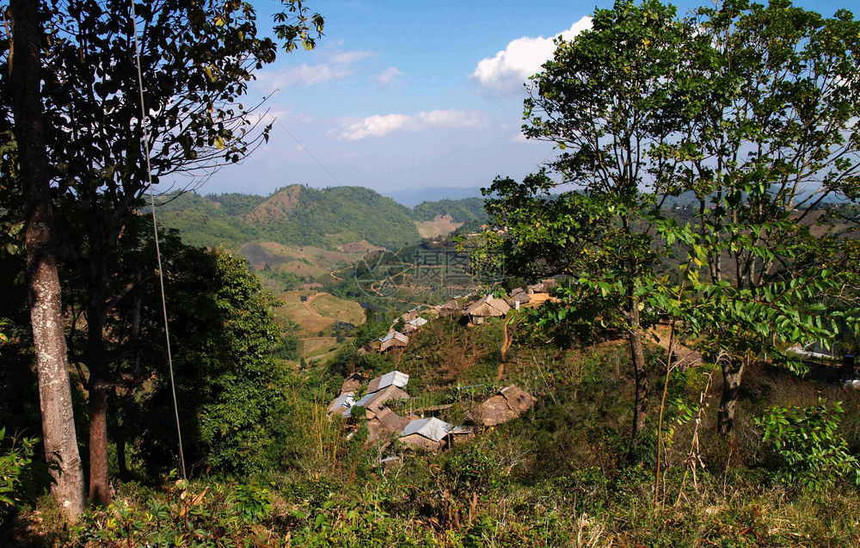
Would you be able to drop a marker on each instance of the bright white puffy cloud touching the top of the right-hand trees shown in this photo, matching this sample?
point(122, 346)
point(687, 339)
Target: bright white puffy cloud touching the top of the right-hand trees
point(521, 58)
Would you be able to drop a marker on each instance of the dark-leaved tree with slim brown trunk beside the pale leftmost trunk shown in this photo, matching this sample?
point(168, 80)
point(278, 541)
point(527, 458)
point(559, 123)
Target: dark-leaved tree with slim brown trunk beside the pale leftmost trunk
point(197, 57)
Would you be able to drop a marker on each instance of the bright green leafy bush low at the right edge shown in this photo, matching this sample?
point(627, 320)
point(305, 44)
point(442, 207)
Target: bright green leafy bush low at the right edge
point(807, 441)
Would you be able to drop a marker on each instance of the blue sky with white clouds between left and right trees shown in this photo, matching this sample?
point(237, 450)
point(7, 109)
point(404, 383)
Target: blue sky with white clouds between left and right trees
point(408, 94)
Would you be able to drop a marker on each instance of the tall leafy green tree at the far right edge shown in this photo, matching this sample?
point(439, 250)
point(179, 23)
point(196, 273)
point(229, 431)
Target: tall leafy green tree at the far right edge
point(770, 104)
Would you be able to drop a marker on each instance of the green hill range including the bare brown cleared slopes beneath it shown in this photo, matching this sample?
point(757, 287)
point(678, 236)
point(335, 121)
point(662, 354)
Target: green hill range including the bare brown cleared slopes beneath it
point(300, 234)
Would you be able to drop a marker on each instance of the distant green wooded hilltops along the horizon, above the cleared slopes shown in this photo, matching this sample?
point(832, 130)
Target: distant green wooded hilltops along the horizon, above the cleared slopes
point(328, 218)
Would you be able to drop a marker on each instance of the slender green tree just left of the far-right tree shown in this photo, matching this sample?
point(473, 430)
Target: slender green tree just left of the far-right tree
point(604, 100)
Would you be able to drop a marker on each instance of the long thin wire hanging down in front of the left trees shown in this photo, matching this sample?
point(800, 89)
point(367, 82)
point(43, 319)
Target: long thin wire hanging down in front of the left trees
point(145, 130)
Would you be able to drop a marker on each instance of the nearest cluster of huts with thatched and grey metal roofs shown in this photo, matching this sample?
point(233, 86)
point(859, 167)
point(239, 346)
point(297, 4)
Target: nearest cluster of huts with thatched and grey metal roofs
point(427, 433)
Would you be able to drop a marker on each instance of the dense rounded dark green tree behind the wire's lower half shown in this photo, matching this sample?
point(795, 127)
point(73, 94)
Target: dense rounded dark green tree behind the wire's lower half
point(223, 338)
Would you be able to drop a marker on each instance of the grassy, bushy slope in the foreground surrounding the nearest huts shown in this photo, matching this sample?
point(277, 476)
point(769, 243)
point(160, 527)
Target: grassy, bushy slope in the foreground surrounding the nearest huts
point(557, 476)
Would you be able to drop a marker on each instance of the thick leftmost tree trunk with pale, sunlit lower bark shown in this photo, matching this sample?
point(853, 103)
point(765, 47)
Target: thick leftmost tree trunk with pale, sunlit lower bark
point(55, 394)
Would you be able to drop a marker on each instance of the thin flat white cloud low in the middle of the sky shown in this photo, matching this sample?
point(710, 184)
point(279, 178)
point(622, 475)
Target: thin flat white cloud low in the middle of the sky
point(383, 124)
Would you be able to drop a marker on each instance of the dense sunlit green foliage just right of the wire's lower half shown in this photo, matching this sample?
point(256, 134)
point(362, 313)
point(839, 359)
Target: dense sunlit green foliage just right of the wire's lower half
point(227, 382)
